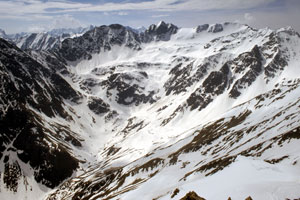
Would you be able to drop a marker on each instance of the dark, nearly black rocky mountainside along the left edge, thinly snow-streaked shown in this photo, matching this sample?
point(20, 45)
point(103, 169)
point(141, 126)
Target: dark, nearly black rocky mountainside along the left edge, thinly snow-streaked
point(29, 88)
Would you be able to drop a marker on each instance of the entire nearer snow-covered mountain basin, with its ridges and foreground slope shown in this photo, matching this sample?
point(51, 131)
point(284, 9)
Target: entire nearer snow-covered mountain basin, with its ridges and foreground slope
point(121, 114)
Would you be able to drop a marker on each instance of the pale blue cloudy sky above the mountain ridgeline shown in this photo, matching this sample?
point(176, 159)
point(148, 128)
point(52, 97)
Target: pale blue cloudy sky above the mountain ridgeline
point(41, 15)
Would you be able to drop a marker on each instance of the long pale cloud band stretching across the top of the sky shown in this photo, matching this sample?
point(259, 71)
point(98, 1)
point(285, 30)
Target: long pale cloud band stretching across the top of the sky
point(29, 7)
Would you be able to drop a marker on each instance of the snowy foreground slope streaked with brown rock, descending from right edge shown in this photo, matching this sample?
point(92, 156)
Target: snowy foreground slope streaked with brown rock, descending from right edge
point(251, 150)
